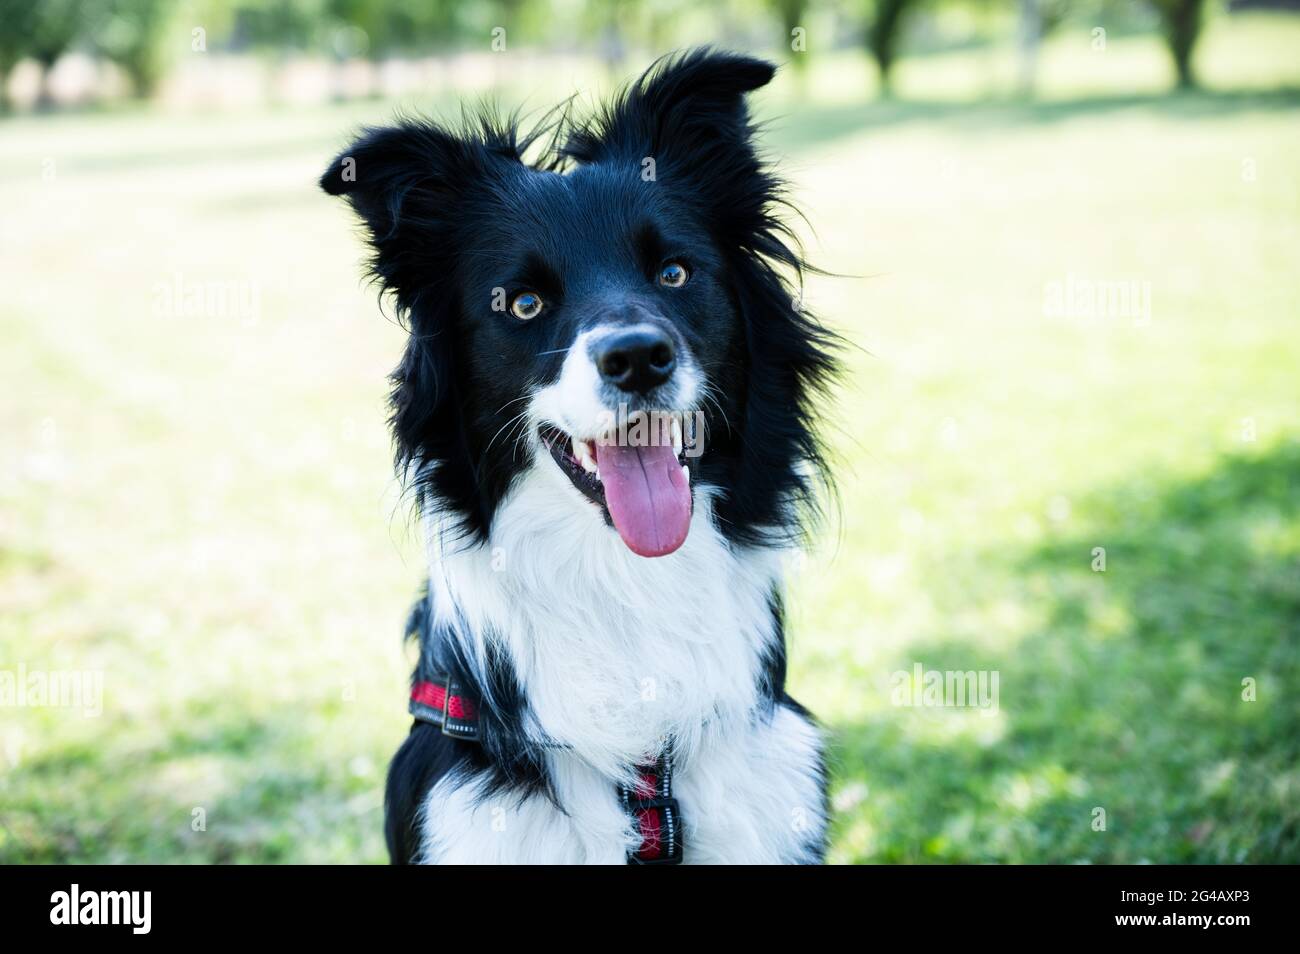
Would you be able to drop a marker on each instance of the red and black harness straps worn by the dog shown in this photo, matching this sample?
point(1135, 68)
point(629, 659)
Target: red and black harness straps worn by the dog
point(652, 806)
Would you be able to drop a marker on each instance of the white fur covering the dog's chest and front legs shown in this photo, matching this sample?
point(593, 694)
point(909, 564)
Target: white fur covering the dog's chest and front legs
point(617, 653)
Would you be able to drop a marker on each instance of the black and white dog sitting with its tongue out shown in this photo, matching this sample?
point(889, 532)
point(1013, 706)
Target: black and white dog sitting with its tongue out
point(606, 417)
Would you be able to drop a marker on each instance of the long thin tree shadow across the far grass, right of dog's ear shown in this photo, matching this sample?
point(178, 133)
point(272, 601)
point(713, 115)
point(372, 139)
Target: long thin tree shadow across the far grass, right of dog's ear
point(809, 128)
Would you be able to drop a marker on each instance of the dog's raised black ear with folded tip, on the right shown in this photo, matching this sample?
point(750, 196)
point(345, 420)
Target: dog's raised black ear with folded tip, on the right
point(683, 109)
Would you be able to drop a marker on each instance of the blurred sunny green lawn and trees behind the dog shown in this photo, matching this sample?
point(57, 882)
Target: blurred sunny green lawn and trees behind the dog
point(1064, 237)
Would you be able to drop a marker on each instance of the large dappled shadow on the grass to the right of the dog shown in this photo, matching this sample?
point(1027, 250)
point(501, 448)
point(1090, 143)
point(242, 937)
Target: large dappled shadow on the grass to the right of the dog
point(1129, 699)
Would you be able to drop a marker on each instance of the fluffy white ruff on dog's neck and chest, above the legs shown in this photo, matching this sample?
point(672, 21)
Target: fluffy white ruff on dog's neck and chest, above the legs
point(613, 652)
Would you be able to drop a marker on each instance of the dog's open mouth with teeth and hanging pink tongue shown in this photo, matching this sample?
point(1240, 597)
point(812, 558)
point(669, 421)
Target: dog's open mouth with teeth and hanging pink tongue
point(639, 479)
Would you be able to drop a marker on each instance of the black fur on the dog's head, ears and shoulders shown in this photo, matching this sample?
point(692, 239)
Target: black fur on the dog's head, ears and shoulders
point(453, 215)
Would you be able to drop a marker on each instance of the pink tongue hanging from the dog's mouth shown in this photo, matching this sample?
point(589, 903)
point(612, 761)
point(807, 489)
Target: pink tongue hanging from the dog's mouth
point(648, 496)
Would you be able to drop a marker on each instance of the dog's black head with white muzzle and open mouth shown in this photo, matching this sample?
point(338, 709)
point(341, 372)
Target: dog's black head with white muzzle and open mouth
point(613, 311)
